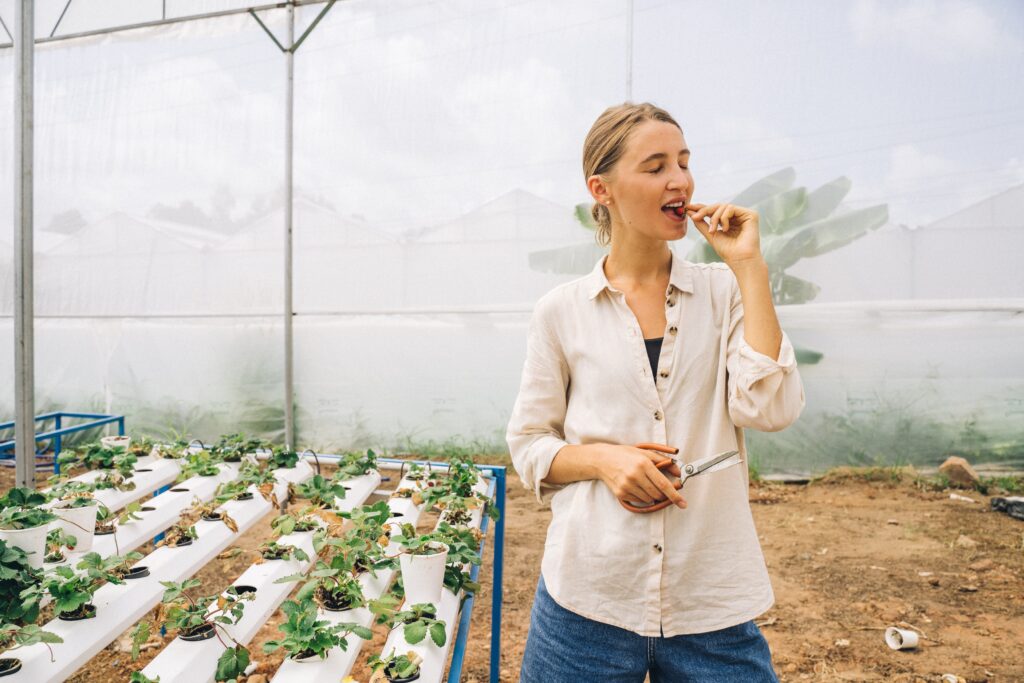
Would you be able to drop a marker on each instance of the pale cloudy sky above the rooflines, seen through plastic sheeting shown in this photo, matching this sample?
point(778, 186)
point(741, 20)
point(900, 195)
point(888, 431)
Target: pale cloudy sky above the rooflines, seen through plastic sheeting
point(412, 113)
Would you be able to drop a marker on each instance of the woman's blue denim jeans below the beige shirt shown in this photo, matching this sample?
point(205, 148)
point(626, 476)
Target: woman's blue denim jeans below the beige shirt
point(565, 648)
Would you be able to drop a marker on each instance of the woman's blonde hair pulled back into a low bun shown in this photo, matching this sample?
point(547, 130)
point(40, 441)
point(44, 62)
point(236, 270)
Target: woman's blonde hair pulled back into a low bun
point(605, 147)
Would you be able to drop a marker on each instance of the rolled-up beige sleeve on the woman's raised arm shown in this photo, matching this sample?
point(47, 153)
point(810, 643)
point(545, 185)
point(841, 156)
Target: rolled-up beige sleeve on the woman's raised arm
point(764, 394)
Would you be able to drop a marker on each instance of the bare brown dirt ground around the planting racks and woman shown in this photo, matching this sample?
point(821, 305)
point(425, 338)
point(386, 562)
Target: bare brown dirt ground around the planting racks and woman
point(849, 556)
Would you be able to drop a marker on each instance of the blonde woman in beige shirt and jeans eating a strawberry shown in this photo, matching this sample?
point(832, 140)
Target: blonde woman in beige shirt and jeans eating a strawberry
point(651, 349)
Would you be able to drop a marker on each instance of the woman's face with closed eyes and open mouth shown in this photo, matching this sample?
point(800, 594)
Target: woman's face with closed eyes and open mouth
point(652, 177)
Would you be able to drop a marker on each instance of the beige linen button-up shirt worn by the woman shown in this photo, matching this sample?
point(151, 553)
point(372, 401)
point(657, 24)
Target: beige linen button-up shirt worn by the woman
point(587, 379)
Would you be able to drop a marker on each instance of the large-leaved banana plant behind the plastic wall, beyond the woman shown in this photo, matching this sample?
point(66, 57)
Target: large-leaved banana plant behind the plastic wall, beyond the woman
point(795, 225)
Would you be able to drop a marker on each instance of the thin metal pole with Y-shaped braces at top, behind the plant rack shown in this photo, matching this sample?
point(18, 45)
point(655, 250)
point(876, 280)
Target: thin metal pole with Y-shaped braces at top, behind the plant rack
point(289, 144)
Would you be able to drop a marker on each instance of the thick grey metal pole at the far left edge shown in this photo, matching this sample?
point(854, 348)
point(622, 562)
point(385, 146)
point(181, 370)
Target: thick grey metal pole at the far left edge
point(25, 418)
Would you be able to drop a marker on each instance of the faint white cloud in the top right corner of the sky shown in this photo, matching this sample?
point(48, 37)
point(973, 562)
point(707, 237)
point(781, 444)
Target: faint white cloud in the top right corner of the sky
point(941, 30)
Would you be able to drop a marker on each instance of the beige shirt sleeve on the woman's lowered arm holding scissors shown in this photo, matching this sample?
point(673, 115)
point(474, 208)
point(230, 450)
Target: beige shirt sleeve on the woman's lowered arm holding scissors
point(536, 433)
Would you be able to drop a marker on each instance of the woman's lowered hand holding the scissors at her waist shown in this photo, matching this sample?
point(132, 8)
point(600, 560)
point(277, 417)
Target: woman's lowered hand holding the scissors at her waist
point(632, 477)
